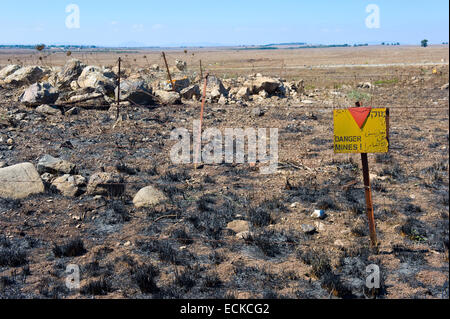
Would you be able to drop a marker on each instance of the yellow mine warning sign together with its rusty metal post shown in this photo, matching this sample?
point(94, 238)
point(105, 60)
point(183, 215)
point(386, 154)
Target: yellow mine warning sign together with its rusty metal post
point(363, 130)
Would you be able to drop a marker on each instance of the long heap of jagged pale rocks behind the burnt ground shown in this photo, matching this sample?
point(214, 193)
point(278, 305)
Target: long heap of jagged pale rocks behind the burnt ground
point(90, 85)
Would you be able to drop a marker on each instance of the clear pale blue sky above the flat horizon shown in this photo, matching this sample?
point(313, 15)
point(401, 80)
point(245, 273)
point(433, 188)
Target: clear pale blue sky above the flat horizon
point(232, 22)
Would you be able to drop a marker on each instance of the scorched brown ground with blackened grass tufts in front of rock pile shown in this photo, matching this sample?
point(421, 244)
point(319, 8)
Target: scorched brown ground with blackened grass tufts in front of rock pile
point(182, 249)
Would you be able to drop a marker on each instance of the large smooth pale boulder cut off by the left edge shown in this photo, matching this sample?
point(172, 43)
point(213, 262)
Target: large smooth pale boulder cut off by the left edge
point(20, 181)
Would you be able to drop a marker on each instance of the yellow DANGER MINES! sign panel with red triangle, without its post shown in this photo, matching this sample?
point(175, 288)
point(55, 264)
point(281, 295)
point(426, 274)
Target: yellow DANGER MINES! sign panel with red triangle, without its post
point(361, 130)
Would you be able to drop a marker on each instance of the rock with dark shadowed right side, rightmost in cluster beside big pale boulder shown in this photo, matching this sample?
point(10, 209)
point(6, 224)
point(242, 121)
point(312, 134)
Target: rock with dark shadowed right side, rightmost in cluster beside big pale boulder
point(104, 183)
